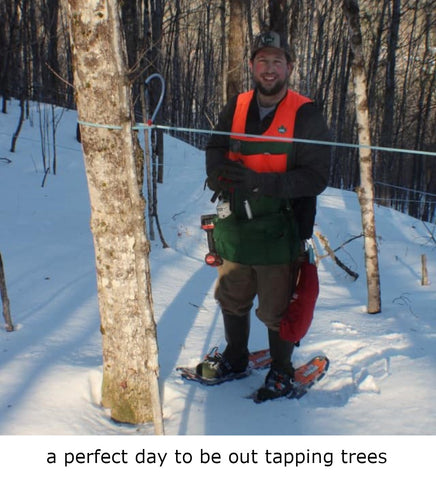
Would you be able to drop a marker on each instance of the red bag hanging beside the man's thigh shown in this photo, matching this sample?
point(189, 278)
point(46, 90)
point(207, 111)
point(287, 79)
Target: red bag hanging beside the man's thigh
point(298, 317)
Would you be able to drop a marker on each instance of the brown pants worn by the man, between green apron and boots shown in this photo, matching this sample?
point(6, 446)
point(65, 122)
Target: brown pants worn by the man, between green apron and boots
point(238, 285)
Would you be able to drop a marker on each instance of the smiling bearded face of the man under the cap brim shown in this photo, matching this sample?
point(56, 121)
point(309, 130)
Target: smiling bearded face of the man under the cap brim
point(271, 71)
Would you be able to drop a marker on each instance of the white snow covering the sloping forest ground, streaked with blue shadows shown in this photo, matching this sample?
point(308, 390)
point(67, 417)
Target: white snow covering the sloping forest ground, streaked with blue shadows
point(381, 379)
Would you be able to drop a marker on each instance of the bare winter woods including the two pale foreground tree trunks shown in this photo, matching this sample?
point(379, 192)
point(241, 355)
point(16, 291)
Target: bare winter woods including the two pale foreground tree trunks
point(200, 49)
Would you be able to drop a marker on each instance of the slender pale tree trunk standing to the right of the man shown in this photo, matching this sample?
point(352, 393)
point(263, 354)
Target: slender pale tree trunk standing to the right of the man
point(366, 189)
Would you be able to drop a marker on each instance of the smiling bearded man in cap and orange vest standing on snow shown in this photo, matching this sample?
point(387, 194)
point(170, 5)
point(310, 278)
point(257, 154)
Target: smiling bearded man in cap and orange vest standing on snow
point(267, 190)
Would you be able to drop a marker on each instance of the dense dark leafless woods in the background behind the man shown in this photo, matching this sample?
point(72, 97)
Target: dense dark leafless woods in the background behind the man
point(188, 44)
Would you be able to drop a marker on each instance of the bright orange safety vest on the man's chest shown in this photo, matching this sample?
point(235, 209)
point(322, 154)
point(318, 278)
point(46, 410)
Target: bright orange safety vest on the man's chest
point(262, 154)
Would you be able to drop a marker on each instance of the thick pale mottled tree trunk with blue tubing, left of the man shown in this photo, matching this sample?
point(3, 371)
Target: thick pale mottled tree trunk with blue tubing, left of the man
point(130, 368)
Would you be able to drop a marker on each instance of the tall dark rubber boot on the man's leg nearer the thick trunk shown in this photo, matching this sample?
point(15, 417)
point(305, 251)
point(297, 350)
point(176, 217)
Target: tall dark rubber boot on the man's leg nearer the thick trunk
point(237, 331)
